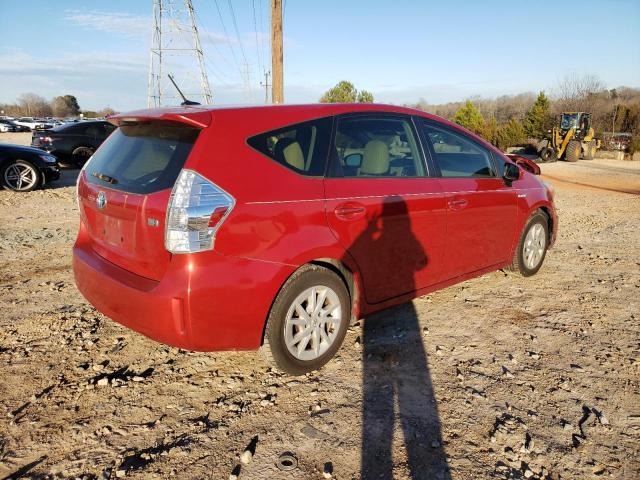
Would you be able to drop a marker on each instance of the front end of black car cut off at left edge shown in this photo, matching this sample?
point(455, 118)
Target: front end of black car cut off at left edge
point(23, 169)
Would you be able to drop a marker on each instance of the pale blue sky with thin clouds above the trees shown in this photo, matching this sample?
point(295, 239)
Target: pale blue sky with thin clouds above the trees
point(399, 50)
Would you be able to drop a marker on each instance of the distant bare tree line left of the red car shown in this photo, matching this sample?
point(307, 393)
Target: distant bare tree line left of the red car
point(33, 105)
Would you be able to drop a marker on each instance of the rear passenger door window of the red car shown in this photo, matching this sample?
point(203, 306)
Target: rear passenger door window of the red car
point(376, 146)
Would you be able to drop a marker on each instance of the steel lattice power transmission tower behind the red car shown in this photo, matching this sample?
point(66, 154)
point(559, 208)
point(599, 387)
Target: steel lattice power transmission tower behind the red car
point(176, 49)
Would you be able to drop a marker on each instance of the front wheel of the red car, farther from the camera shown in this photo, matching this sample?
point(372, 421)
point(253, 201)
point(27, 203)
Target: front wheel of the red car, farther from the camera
point(532, 247)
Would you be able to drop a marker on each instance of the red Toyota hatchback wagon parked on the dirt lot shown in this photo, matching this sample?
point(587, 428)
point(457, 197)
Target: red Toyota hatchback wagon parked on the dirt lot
point(239, 228)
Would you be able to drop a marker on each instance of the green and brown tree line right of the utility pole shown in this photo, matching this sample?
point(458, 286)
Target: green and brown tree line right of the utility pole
point(525, 118)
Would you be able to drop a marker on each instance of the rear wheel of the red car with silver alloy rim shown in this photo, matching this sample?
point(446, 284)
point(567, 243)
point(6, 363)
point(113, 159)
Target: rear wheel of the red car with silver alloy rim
point(286, 322)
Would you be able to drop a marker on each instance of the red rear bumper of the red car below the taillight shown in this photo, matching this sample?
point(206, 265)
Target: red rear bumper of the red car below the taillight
point(204, 302)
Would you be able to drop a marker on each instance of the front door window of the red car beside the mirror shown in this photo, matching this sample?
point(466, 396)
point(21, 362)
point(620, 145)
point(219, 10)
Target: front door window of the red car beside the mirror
point(458, 156)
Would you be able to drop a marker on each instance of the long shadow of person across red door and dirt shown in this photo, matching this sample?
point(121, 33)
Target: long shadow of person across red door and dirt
point(395, 363)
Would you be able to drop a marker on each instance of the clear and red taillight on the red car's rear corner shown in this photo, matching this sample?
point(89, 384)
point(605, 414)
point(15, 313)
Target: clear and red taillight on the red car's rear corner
point(196, 210)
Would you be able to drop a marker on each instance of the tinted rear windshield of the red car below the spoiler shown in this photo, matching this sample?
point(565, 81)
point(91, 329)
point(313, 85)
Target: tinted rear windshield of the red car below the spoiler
point(142, 158)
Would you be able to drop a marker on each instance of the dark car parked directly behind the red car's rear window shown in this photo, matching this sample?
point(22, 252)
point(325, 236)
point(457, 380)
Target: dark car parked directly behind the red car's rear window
point(73, 142)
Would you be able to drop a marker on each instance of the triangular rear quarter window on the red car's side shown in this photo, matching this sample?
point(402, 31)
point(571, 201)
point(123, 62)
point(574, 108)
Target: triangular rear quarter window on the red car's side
point(302, 147)
